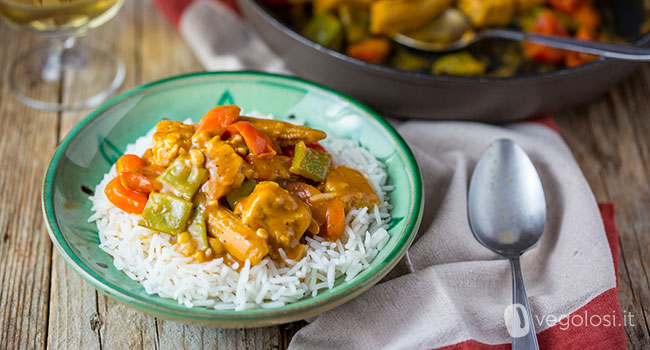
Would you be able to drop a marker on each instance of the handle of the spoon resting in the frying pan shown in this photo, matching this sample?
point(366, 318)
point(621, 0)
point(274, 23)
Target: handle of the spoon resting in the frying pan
point(624, 52)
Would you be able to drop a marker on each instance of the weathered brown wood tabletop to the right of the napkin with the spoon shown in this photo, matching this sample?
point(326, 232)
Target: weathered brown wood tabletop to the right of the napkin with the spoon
point(608, 139)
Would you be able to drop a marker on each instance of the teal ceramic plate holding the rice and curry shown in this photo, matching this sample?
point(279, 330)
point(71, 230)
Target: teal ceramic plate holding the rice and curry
point(90, 149)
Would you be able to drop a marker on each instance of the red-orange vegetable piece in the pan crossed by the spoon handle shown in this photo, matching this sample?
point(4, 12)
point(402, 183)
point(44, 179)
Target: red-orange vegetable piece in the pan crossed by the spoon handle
point(547, 23)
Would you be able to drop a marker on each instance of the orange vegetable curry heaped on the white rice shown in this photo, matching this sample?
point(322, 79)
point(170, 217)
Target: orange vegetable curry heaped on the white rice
point(238, 187)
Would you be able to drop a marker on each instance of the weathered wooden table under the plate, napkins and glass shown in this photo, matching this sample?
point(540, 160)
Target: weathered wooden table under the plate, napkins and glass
point(43, 303)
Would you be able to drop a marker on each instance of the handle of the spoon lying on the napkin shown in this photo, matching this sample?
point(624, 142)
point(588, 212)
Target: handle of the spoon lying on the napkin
point(527, 340)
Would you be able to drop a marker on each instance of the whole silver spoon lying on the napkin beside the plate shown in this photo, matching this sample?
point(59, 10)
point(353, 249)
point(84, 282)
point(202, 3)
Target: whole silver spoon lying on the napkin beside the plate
point(507, 214)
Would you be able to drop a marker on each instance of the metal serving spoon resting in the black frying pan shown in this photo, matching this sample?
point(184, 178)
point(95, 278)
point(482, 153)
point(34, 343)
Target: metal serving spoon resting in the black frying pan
point(425, 39)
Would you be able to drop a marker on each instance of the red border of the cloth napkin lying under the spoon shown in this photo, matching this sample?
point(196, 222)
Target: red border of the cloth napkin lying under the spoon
point(608, 334)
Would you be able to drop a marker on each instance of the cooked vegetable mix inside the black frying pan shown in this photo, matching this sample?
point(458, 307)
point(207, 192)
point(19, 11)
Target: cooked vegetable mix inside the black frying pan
point(362, 29)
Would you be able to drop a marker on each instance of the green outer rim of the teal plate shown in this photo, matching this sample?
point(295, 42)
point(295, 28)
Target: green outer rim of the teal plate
point(287, 311)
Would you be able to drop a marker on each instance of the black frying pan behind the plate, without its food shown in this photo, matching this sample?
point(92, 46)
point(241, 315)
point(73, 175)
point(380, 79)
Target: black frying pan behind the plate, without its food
point(417, 95)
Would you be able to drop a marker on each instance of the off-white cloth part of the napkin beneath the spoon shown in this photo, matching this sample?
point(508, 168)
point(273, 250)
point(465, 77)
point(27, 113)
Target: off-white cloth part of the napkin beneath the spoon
point(449, 288)
